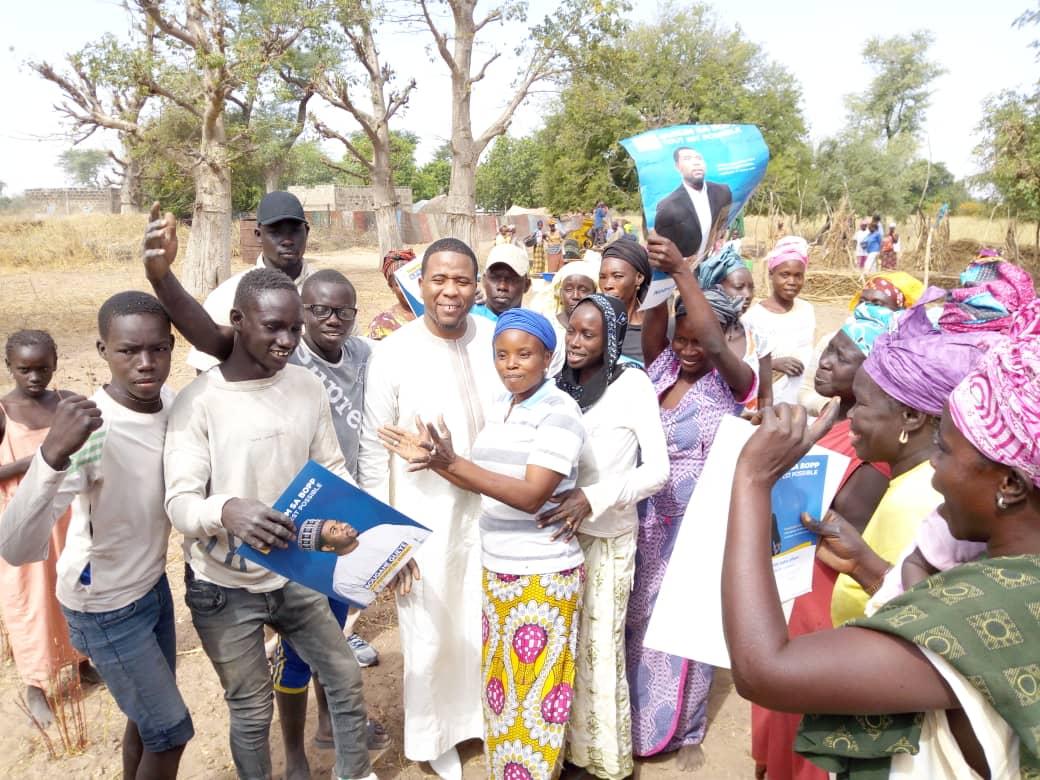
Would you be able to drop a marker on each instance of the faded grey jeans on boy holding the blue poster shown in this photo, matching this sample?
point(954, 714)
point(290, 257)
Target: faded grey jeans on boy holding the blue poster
point(230, 623)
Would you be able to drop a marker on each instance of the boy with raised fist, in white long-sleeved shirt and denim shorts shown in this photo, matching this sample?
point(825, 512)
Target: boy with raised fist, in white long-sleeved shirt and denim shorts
point(103, 456)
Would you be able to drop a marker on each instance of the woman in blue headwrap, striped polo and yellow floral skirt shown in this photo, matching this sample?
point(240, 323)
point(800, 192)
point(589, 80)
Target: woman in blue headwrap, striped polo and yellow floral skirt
point(534, 579)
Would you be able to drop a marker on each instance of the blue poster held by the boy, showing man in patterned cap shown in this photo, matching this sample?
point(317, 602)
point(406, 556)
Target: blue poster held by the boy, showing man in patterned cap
point(350, 545)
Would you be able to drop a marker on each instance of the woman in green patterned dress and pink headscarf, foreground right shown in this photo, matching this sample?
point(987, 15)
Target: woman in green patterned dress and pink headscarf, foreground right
point(947, 671)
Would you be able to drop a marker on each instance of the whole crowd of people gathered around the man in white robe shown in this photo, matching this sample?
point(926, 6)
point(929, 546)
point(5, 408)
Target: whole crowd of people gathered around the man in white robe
point(552, 441)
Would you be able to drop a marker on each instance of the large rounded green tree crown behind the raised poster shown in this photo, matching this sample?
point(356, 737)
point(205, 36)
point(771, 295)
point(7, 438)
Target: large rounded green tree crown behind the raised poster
point(685, 68)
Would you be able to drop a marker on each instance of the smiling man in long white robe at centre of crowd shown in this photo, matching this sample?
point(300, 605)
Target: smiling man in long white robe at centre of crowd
point(441, 365)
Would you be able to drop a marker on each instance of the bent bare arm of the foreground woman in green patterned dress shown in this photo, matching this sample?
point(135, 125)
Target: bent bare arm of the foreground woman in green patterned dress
point(811, 673)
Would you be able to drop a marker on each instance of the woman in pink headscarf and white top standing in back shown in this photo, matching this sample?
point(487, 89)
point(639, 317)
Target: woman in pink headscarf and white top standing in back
point(791, 322)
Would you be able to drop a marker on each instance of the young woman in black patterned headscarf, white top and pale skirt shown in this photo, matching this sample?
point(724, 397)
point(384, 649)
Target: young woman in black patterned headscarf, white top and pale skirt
point(625, 461)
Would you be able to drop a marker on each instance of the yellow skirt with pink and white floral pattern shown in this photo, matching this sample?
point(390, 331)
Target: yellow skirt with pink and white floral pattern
point(530, 631)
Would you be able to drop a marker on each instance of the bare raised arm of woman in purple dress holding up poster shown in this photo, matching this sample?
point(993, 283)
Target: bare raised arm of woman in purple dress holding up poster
point(666, 256)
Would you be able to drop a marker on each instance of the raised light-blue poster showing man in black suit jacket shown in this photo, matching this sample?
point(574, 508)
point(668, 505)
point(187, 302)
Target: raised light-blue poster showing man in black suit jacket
point(694, 180)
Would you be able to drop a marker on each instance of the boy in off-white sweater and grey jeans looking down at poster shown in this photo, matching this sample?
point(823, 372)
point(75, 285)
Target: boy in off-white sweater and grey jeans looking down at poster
point(238, 435)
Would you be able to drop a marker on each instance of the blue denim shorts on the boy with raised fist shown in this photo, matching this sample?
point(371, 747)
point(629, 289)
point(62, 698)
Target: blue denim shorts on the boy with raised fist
point(135, 649)
